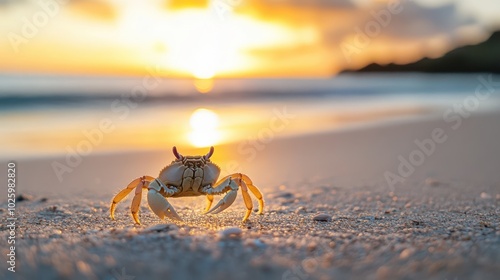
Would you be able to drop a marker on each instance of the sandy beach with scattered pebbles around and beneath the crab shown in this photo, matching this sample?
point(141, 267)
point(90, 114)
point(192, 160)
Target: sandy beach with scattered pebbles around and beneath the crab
point(440, 222)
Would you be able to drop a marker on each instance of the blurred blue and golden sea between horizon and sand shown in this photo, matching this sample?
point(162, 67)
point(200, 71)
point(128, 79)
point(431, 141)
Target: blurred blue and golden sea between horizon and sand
point(45, 115)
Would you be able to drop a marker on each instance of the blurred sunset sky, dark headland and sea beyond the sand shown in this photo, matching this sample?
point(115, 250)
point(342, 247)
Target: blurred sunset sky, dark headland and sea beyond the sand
point(142, 75)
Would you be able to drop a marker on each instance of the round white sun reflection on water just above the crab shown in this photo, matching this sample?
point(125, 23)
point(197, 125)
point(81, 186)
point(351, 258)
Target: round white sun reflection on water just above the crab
point(204, 124)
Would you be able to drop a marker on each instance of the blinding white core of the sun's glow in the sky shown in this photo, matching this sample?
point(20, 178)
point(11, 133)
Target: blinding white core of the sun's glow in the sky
point(202, 46)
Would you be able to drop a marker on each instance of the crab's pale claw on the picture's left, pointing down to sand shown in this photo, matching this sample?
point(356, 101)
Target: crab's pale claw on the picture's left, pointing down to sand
point(160, 206)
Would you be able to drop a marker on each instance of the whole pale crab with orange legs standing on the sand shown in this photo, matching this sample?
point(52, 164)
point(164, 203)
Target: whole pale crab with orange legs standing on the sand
point(189, 176)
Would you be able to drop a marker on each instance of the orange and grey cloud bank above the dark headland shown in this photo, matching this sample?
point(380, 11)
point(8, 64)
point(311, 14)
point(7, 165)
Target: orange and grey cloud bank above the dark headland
point(406, 32)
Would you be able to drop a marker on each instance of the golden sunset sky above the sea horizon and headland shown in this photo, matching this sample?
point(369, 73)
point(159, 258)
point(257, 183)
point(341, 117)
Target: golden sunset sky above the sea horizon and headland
point(233, 38)
